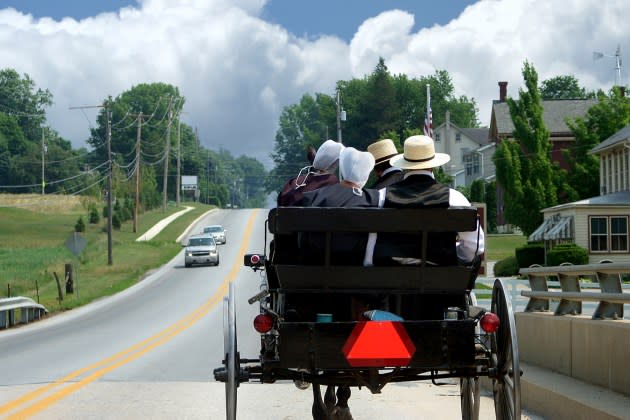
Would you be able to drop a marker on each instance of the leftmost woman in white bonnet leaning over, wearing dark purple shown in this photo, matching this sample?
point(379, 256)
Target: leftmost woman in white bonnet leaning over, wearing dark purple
point(319, 173)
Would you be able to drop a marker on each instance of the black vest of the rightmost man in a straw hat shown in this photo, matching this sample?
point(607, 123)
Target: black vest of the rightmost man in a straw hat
point(416, 191)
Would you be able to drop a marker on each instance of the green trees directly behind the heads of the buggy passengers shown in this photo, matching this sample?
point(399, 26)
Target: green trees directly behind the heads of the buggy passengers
point(380, 105)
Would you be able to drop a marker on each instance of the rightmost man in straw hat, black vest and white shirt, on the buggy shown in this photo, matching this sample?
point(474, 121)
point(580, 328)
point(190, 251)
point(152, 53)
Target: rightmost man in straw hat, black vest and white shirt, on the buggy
point(418, 188)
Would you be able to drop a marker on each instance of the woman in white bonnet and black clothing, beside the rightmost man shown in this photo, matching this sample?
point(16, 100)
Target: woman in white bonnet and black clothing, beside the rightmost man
point(347, 248)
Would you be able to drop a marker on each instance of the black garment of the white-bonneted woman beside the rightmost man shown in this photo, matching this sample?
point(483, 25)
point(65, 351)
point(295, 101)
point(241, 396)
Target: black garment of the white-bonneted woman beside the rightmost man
point(346, 248)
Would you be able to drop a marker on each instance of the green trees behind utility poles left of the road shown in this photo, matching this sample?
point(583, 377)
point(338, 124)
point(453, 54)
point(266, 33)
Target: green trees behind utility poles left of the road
point(147, 137)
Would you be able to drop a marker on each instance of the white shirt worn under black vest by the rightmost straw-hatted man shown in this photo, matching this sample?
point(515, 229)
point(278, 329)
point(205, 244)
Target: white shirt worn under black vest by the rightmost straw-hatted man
point(468, 245)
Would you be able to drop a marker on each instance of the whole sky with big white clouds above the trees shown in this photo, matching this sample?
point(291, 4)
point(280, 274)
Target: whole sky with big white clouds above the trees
point(239, 62)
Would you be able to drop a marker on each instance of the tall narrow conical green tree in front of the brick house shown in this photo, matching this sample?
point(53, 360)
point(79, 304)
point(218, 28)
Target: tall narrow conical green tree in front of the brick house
point(523, 165)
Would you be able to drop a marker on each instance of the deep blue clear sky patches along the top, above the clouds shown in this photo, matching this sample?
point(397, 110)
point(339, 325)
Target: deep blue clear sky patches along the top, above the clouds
point(301, 17)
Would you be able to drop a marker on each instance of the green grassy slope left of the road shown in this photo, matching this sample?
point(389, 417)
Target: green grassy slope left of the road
point(32, 250)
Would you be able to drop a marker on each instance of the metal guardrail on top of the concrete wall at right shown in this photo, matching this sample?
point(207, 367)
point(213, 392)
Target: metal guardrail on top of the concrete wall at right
point(608, 276)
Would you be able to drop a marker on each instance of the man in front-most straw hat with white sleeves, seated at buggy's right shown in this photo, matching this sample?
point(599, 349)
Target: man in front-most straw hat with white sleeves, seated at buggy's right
point(418, 188)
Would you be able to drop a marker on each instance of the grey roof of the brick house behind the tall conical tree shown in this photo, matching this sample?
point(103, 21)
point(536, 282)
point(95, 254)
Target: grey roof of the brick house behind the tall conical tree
point(554, 113)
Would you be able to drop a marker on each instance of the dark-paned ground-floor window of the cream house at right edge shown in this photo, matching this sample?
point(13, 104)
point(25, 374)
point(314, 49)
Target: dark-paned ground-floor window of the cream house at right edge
point(609, 234)
